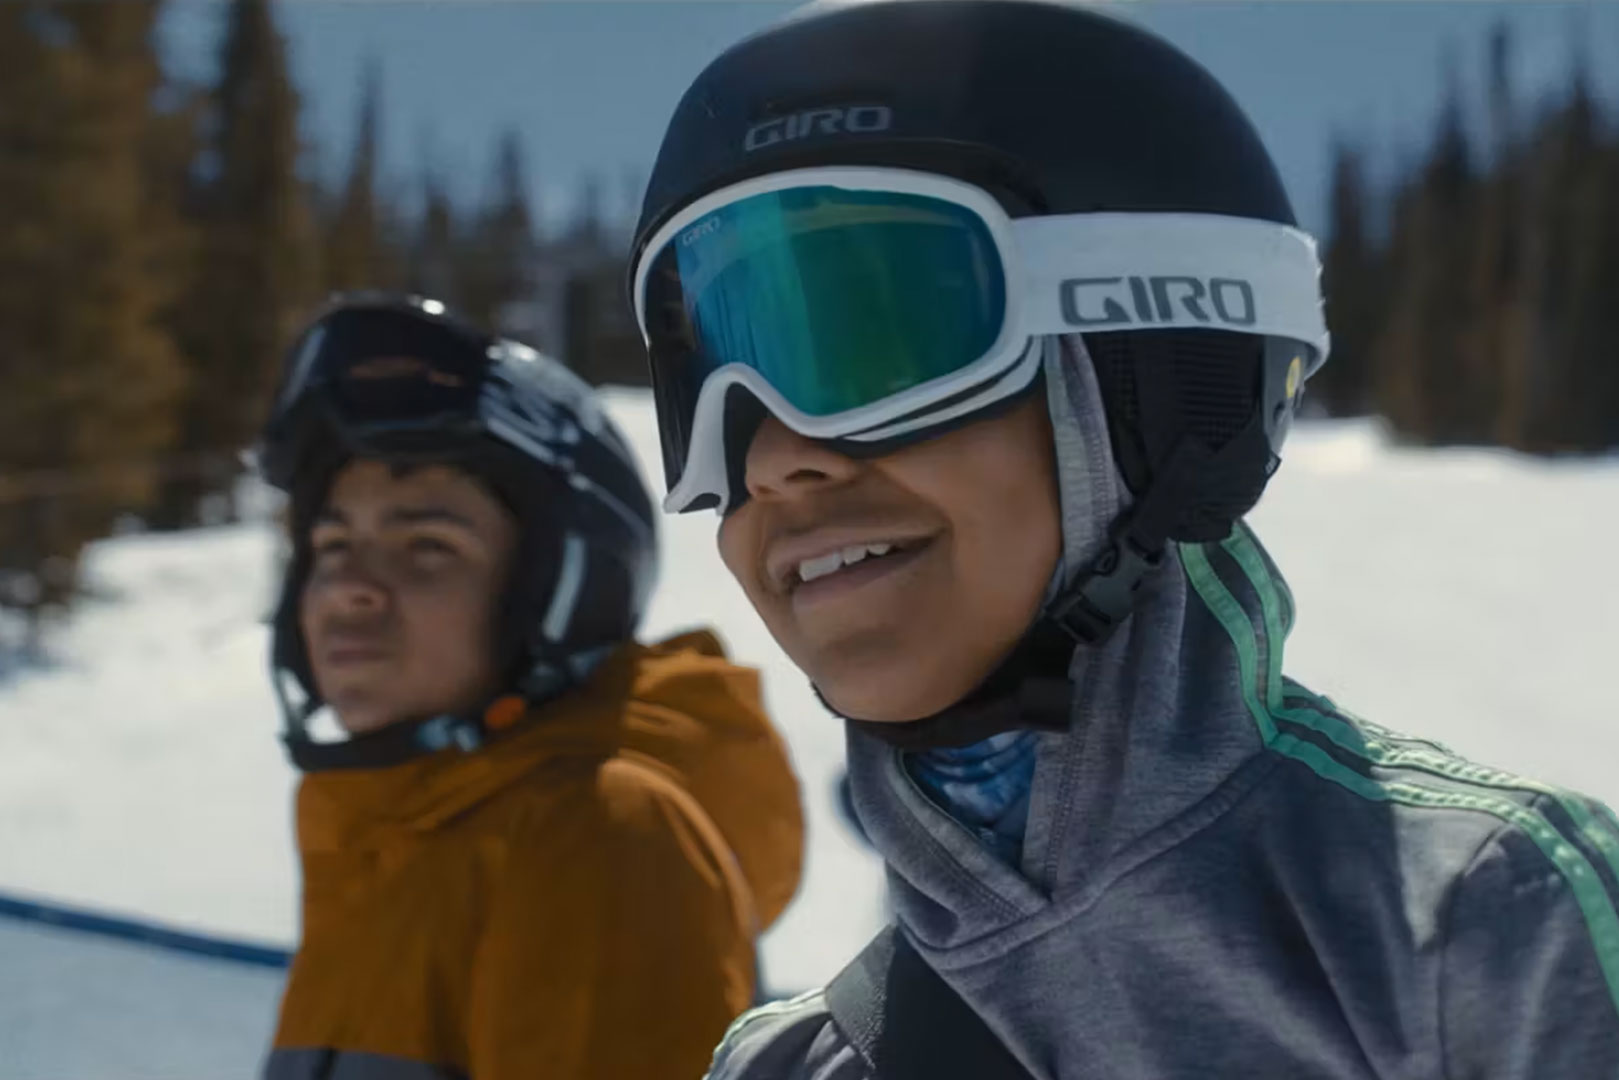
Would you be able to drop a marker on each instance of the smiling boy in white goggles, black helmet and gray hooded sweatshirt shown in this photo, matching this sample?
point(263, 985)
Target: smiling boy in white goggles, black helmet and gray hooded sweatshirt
point(984, 388)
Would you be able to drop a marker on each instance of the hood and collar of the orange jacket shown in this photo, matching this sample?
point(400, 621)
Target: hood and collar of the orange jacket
point(679, 708)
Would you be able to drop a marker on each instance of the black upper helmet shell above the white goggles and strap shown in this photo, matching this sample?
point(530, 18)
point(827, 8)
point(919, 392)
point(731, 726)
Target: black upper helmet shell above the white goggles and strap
point(1053, 108)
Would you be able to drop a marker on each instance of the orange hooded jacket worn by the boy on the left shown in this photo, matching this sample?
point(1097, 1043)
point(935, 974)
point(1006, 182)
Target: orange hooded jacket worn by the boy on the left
point(579, 899)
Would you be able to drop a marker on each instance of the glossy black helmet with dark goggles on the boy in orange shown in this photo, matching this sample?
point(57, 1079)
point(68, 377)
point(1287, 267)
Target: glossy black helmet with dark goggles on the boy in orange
point(401, 380)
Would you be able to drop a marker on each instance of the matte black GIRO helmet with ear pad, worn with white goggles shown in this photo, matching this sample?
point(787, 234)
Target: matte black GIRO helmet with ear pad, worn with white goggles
point(1052, 109)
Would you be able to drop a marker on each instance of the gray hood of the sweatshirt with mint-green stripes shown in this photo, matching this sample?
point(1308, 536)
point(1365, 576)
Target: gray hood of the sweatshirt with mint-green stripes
point(1132, 760)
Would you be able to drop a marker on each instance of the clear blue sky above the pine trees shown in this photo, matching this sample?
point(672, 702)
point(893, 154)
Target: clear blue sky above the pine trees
point(592, 83)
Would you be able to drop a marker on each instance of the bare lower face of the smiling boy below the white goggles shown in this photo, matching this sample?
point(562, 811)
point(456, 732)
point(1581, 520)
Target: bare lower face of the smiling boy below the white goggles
point(896, 582)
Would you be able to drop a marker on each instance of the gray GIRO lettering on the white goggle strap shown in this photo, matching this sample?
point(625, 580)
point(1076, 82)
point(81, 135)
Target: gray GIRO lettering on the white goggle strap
point(1097, 302)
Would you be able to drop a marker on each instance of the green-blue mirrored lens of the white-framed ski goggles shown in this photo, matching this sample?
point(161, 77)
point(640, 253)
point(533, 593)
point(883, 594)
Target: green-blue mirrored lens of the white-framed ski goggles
point(838, 299)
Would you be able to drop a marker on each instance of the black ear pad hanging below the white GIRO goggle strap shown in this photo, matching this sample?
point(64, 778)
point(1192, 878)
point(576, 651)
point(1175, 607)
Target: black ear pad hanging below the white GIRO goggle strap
point(1209, 388)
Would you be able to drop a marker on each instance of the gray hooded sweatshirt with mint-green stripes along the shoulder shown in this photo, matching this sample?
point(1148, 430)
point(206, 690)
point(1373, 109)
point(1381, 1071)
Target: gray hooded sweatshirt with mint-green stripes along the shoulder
point(1226, 875)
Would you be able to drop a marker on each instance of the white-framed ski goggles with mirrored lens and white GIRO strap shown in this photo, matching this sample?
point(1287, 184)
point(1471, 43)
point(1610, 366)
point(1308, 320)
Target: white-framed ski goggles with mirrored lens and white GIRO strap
point(869, 305)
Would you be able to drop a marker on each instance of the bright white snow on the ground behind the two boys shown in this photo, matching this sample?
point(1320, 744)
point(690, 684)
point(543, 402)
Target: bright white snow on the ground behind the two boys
point(1460, 595)
